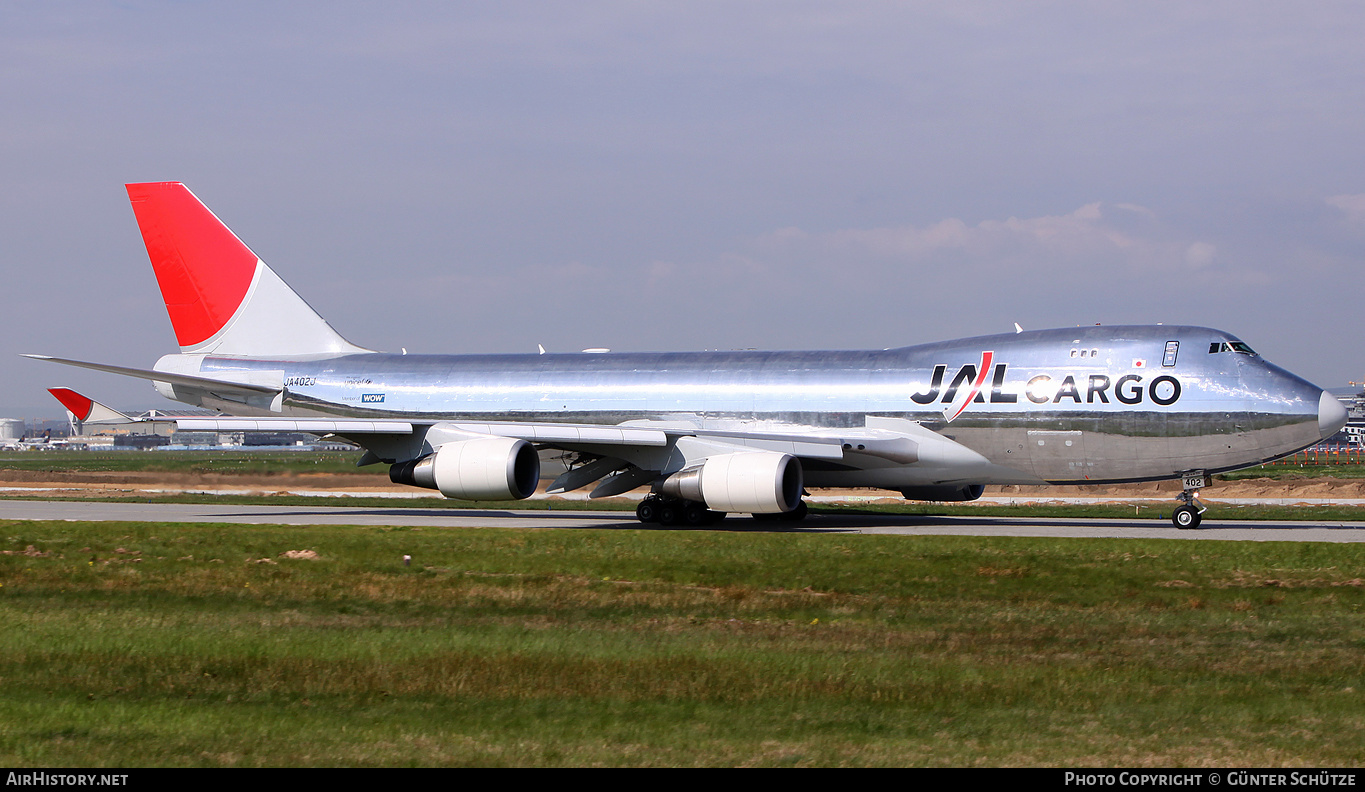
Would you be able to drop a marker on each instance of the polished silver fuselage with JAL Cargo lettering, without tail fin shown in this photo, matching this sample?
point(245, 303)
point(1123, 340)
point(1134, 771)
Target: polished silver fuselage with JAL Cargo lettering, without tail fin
point(1084, 405)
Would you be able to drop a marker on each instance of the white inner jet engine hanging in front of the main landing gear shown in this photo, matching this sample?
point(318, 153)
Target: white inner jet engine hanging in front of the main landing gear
point(754, 483)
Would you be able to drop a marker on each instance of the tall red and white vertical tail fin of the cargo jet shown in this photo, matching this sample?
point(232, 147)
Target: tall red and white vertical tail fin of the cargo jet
point(219, 294)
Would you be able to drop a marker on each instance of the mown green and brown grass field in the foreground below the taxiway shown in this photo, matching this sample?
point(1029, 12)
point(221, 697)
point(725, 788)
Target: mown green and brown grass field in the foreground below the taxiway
point(175, 645)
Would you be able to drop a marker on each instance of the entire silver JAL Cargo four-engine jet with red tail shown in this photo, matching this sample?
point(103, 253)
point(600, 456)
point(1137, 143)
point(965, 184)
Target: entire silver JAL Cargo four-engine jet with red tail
point(719, 432)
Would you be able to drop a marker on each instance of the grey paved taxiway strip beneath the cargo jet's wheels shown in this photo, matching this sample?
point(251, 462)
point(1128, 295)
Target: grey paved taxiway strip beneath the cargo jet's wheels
point(917, 525)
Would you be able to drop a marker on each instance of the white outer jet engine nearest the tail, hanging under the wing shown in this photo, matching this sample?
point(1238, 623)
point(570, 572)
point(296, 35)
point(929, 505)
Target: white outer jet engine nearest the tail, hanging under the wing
point(485, 469)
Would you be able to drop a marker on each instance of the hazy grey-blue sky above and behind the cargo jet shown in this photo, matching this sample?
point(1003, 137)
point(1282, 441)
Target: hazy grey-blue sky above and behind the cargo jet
point(489, 177)
